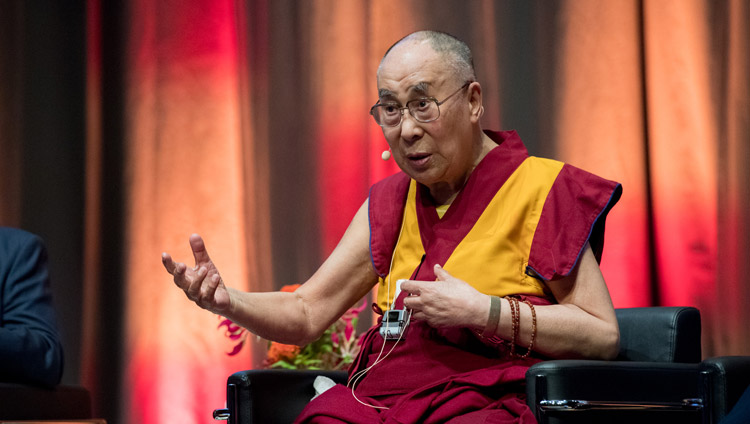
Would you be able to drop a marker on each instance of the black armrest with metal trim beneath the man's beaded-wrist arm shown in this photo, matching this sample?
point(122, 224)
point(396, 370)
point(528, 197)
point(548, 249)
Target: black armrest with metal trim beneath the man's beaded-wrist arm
point(615, 382)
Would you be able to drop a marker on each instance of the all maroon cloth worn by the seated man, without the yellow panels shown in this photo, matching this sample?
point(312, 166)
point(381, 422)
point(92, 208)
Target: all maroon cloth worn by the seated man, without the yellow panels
point(452, 375)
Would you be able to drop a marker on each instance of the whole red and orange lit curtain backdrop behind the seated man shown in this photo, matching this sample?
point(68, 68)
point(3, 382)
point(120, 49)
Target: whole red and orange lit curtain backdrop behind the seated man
point(247, 122)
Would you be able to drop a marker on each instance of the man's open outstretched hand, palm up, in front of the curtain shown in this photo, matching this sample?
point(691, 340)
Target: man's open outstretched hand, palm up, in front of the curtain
point(202, 283)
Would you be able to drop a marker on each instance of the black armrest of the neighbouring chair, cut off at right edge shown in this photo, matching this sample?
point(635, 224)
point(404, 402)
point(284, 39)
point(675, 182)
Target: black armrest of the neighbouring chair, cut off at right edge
point(729, 376)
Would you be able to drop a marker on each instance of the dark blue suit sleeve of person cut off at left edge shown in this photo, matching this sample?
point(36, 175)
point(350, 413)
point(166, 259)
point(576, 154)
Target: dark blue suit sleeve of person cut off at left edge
point(30, 347)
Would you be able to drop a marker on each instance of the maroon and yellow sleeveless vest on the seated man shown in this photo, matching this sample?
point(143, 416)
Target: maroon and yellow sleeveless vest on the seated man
point(532, 217)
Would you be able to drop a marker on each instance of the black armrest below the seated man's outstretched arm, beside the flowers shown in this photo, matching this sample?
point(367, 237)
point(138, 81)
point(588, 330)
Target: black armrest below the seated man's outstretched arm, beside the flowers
point(272, 396)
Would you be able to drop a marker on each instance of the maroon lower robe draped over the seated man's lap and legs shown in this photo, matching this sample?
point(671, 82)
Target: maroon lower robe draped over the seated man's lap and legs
point(433, 376)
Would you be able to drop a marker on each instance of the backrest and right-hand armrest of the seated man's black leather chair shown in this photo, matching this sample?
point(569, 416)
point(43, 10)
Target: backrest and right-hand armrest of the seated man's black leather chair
point(656, 378)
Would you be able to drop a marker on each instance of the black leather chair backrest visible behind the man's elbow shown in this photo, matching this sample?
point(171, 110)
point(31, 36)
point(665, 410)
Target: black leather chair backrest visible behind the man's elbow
point(660, 334)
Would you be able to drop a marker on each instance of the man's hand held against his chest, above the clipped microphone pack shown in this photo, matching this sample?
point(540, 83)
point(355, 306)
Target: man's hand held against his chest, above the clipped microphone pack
point(447, 302)
